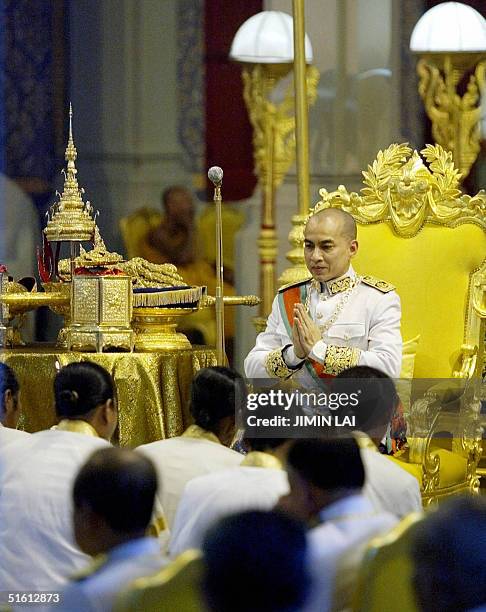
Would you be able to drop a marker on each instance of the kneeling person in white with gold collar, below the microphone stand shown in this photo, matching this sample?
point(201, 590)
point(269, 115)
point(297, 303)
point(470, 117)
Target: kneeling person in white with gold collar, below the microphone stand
point(204, 446)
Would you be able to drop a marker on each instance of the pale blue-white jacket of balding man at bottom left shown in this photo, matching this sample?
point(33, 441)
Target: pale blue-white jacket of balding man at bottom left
point(125, 563)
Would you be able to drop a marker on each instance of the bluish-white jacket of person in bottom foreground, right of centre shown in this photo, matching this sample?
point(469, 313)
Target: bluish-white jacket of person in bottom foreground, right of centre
point(336, 548)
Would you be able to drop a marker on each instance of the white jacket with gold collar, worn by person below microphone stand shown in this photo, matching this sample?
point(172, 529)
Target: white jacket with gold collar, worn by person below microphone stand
point(178, 460)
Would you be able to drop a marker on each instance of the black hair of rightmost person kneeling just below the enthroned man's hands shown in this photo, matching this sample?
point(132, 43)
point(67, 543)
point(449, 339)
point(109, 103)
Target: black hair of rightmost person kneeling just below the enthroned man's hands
point(378, 396)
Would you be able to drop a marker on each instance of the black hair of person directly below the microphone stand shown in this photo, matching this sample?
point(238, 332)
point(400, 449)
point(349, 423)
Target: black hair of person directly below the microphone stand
point(216, 393)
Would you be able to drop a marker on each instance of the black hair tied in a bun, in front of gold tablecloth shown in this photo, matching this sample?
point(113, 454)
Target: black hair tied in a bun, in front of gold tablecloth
point(80, 387)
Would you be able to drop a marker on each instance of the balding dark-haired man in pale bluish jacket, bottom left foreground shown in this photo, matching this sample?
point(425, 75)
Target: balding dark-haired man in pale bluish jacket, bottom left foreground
point(113, 497)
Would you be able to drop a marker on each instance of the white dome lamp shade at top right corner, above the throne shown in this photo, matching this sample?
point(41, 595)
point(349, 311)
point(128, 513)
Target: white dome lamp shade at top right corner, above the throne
point(449, 27)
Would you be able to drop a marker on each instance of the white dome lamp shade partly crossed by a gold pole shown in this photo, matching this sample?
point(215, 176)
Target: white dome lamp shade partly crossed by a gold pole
point(267, 38)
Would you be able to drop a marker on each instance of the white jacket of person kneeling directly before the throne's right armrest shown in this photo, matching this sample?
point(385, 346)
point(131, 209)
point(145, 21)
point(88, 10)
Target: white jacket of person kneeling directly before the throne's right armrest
point(389, 487)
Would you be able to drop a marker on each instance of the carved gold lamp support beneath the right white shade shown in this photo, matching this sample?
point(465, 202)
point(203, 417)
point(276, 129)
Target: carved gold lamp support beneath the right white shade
point(455, 117)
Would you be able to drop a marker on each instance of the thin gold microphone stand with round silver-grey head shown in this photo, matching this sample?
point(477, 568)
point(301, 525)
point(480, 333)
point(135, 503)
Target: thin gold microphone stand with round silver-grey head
point(215, 175)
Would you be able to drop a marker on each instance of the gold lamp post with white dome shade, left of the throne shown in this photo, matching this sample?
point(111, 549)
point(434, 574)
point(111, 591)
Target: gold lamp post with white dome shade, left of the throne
point(264, 45)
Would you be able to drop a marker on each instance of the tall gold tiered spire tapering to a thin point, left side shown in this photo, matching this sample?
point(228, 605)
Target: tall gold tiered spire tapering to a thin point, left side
point(70, 219)
